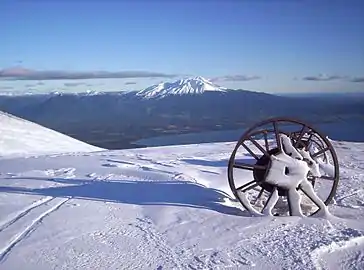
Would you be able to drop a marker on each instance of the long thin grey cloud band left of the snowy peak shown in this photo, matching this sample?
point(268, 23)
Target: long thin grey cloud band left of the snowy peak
point(27, 74)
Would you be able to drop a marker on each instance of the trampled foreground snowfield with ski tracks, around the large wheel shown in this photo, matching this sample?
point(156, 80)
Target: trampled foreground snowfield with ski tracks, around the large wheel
point(164, 208)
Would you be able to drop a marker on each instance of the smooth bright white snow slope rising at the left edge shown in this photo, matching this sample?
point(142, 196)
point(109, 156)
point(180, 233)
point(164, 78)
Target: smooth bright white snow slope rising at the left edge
point(21, 137)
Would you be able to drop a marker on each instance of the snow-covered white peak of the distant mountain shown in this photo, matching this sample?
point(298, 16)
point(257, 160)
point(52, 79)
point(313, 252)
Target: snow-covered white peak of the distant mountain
point(191, 86)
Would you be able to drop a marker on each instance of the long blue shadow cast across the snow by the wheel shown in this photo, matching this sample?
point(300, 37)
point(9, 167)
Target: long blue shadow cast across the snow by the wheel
point(173, 193)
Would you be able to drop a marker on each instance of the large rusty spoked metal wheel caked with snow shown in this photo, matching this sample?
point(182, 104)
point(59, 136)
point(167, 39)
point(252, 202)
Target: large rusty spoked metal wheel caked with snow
point(283, 166)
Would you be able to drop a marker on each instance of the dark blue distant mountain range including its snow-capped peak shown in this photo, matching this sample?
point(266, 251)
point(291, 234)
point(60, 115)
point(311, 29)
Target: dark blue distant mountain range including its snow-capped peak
point(114, 119)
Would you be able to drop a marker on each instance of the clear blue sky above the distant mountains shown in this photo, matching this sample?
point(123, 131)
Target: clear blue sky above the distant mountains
point(266, 45)
